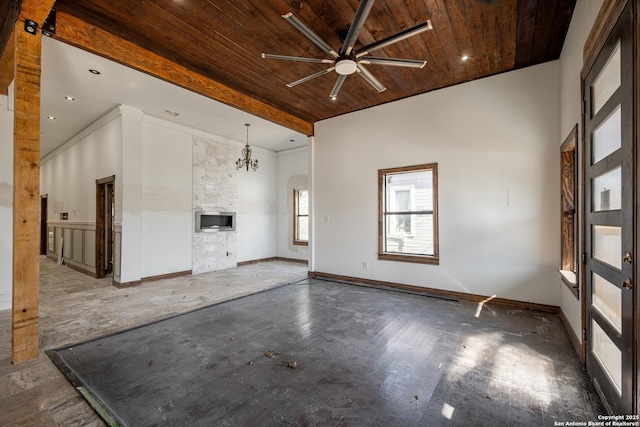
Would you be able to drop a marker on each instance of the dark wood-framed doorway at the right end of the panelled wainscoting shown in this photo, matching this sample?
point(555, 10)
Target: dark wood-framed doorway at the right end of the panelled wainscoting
point(105, 229)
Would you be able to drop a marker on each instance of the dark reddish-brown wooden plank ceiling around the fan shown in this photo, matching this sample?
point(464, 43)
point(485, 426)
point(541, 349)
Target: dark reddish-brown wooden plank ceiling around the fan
point(224, 40)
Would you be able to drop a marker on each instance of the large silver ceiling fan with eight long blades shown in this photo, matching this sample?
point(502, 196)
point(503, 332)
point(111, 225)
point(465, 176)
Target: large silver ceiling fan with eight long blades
point(346, 61)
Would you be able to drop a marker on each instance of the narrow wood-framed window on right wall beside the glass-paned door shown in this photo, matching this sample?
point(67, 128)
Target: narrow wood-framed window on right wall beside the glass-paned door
point(568, 229)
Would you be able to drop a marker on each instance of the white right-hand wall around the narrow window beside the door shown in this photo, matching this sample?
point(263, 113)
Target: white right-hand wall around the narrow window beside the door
point(571, 63)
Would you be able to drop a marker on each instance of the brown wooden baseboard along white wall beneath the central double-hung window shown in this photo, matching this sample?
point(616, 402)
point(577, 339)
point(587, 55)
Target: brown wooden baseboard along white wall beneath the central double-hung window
point(460, 295)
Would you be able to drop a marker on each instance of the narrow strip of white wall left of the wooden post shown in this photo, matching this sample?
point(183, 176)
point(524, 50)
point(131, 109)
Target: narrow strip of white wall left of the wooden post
point(6, 202)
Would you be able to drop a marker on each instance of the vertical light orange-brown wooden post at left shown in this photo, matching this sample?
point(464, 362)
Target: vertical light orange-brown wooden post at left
point(26, 194)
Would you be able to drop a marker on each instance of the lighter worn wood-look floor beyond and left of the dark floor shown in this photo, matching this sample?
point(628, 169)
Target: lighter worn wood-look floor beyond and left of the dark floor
point(75, 308)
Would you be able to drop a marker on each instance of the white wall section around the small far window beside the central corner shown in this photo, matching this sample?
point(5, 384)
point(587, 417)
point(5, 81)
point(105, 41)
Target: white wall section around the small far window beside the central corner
point(293, 166)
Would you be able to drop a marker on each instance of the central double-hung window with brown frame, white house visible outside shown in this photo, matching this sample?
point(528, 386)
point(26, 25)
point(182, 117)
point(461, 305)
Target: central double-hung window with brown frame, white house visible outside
point(408, 214)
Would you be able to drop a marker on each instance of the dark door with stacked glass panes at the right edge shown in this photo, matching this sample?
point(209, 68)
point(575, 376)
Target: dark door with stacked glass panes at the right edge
point(609, 228)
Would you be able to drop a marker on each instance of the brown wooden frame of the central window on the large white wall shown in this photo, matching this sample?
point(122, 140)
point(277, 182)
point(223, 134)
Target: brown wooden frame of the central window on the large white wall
point(382, 213)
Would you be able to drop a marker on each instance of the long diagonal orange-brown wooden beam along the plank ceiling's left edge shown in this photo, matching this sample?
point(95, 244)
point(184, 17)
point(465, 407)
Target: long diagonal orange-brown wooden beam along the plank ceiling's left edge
point(76, 32)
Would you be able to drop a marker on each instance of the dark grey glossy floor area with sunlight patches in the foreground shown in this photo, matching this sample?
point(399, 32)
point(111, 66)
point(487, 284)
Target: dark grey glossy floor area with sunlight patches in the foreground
point(363, 357)
